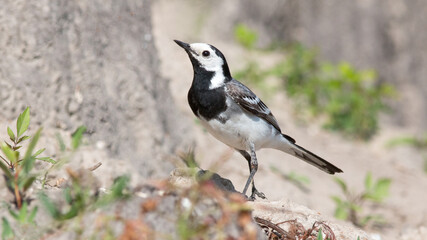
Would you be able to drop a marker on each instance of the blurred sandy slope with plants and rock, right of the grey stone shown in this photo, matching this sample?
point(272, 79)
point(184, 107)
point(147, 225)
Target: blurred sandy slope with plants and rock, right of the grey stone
point(344, 78)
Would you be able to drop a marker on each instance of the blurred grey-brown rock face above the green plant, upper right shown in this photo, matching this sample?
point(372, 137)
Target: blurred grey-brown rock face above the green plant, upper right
point(386, 36)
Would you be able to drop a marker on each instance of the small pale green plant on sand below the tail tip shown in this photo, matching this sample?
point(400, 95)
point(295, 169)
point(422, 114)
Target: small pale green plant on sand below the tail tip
point(349, 207)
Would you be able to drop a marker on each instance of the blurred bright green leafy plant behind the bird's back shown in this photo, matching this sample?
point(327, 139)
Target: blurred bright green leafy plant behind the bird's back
point(350, 99)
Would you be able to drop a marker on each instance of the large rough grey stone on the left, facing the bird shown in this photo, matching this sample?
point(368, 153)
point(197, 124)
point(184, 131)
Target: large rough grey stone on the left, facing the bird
point(92, 63)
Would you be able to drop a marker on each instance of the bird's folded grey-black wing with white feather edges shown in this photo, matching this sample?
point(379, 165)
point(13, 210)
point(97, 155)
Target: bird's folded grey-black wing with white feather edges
point(245, 98)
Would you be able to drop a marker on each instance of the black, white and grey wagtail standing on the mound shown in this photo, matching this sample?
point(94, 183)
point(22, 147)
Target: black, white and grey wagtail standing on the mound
point(234, 115)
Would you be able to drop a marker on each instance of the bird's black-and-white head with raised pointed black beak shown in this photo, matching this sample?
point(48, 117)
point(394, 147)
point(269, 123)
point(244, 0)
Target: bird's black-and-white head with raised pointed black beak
point(206, 57)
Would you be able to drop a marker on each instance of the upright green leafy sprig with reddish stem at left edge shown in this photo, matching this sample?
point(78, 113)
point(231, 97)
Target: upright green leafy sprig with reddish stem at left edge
point(18, 171)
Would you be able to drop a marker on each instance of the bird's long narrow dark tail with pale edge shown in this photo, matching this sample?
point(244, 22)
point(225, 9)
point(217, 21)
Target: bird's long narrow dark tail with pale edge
point(309, 157)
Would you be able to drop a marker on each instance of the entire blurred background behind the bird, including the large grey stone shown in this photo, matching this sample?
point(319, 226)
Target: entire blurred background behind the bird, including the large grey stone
point(346, 79)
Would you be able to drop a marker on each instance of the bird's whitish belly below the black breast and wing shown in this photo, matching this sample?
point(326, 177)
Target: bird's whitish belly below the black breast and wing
point(242, 128)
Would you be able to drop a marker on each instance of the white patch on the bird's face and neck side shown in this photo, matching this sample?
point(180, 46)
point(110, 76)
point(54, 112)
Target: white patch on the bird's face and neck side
point(209, 60)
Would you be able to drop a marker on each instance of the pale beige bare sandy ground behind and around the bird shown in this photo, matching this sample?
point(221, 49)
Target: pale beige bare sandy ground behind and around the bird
point(405, 209)
